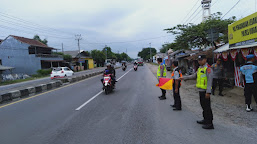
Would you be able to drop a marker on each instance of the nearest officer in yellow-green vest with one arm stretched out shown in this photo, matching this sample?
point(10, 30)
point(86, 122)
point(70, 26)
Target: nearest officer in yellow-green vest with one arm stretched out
point(204, 77)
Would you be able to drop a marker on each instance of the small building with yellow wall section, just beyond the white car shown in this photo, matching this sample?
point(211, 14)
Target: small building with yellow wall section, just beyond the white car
point(81, 60)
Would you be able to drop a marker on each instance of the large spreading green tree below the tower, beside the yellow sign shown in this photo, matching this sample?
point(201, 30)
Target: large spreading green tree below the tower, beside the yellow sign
point(191, 35)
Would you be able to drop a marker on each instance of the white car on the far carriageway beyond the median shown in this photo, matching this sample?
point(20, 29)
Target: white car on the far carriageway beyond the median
point(61, 72)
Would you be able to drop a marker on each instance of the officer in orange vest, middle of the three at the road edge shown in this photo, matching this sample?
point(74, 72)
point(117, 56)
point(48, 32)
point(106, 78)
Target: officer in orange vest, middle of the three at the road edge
point(176, 74)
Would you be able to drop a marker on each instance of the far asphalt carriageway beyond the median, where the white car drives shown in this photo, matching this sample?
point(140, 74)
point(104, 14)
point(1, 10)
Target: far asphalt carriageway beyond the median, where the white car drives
point(41, 80)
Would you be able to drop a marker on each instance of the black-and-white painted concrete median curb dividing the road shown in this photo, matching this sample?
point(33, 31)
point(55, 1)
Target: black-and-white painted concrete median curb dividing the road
point(25, 92)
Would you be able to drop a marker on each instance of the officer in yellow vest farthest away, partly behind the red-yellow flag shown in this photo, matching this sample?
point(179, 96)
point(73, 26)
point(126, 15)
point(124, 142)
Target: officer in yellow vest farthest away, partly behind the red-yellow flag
point(161, 72)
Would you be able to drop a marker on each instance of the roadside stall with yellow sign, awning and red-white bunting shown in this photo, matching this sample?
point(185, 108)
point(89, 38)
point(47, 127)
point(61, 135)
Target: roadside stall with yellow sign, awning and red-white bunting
point(242, 41)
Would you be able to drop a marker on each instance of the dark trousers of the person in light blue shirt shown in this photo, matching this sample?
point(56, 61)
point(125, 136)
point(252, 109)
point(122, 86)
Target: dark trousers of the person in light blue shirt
point(249, 91)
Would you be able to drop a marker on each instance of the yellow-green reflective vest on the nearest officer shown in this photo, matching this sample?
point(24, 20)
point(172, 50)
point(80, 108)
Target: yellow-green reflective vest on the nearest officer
point(202, 78)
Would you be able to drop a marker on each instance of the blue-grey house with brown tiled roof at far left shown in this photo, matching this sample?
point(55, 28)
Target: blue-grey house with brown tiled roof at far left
point(27, 56)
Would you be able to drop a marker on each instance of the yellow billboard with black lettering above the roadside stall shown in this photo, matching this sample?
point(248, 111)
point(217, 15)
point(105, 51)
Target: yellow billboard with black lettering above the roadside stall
point(243, 31)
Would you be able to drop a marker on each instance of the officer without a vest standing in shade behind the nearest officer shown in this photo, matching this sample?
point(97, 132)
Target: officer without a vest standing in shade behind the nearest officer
point(217, 77)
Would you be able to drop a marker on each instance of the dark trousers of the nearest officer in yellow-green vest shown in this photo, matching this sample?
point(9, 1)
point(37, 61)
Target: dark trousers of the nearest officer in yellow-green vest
point(206, 106)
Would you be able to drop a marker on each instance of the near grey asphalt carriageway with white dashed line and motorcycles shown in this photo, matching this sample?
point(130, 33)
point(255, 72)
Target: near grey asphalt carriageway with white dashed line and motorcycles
point(132, 114)
